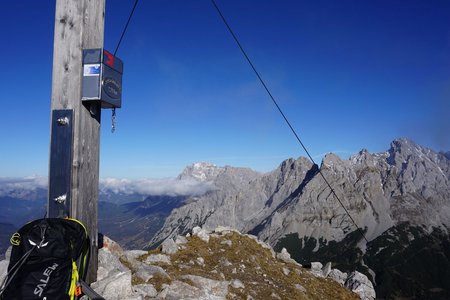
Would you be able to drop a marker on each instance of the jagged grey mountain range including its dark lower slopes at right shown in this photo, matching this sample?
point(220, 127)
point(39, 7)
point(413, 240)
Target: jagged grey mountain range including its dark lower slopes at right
point(399, 199)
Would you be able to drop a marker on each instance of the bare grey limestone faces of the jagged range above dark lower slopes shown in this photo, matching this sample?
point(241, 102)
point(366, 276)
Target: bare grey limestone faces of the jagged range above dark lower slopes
point(406, 183)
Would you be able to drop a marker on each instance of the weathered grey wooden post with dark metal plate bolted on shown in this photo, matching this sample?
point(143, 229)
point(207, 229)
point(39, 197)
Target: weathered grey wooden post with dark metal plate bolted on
point(75, 125)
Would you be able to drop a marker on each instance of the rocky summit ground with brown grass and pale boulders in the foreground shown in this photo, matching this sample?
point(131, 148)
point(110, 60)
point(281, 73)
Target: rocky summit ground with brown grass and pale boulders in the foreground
point(219, 264)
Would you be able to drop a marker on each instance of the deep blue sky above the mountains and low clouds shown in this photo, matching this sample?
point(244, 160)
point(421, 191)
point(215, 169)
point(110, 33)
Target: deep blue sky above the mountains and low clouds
point(348, 75)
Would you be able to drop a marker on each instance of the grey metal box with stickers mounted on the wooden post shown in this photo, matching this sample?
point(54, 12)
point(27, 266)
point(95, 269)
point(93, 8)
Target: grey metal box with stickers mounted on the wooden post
point(102, 78)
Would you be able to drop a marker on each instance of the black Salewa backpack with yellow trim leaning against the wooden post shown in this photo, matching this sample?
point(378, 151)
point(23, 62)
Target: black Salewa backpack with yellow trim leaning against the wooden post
point(43, 263)
